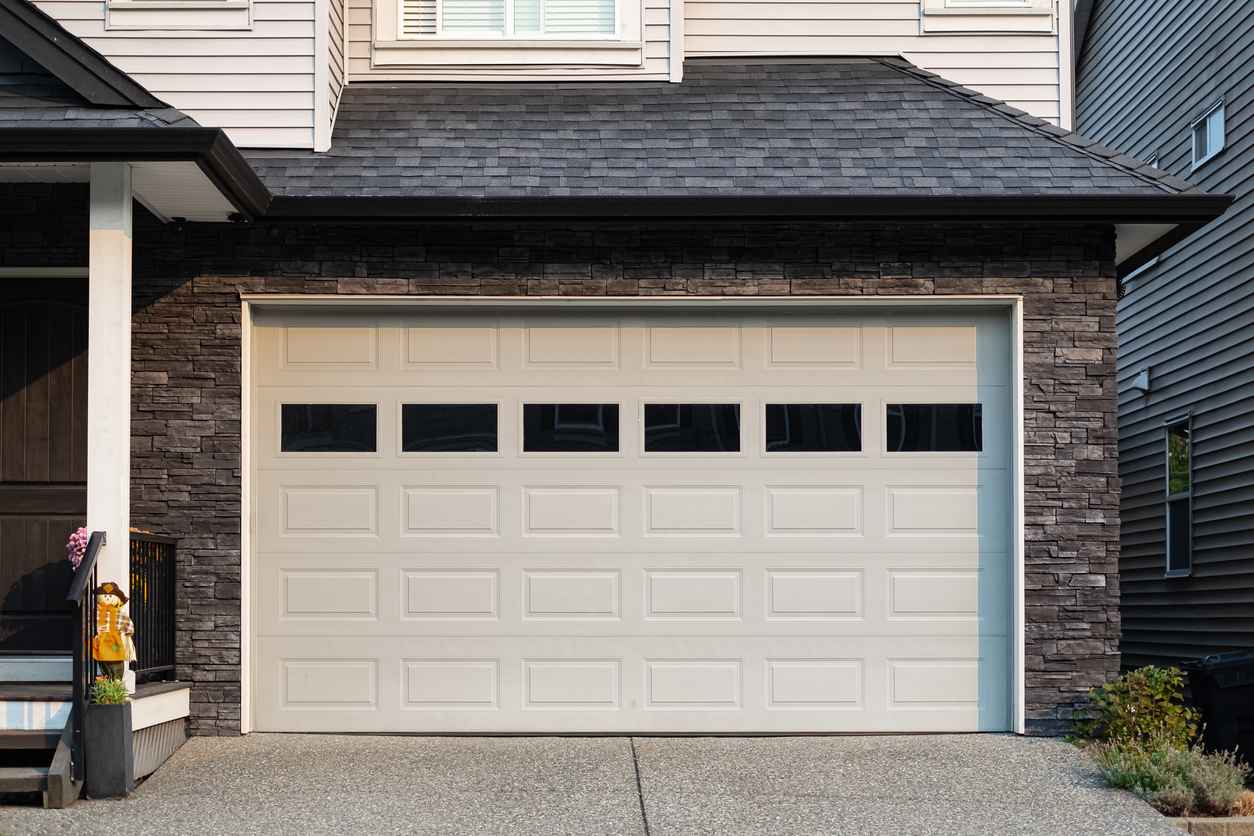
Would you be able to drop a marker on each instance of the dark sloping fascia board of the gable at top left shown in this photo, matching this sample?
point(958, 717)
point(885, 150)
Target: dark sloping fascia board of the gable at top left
point(80, 67)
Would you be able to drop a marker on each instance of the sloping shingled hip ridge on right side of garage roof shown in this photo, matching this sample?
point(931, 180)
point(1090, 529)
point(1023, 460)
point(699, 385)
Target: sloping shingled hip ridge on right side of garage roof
point(1092, 149)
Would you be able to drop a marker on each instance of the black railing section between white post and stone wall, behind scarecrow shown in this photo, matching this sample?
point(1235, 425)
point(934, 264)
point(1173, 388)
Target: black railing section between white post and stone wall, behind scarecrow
point(152, 606)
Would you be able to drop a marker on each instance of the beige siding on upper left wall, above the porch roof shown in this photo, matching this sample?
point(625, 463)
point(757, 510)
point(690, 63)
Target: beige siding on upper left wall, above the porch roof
point(255, 83)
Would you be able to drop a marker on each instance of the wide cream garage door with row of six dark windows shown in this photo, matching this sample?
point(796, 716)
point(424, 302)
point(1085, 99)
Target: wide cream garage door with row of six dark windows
point(542, 522)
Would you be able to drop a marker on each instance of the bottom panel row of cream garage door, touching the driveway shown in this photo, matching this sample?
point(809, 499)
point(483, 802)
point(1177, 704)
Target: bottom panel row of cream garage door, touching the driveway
point(584, 685)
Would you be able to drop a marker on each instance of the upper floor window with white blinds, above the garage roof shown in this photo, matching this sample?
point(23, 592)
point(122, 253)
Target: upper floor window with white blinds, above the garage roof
point(522, 19)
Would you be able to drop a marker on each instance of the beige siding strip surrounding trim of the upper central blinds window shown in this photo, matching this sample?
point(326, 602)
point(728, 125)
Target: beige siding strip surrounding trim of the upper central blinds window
point(656, 66)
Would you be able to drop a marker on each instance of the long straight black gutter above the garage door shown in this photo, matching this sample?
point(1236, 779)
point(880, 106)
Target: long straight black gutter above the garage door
point(1095, 209)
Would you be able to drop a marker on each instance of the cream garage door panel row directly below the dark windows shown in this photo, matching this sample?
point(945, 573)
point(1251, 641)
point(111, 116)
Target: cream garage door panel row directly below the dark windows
point(562, 511)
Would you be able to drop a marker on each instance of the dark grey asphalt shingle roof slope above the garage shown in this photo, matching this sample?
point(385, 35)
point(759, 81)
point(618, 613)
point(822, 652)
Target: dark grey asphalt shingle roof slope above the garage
point(857, 126)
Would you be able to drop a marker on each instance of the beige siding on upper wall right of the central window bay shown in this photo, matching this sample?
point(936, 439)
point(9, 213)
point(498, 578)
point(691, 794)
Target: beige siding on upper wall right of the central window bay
point(1021, 70)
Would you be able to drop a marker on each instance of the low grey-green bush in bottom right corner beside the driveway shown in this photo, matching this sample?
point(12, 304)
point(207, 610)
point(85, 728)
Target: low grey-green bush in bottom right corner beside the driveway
point(1176, 781)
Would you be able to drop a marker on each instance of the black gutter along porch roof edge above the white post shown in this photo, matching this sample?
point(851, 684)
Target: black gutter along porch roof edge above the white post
point(210, 149)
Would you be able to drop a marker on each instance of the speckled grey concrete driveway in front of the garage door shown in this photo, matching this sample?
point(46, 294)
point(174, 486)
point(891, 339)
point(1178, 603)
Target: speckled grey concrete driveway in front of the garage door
point(313, 784)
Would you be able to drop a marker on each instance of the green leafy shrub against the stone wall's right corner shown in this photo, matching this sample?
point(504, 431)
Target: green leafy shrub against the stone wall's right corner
point(1143, 705)
